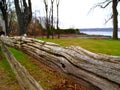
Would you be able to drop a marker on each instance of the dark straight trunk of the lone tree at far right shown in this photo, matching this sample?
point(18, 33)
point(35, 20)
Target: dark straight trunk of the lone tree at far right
point(115, 19)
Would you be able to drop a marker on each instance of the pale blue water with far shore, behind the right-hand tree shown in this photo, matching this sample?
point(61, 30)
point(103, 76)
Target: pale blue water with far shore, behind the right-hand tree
point(99, 31)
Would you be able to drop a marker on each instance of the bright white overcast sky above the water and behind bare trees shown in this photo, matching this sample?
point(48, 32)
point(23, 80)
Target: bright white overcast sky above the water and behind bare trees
point(74, 13)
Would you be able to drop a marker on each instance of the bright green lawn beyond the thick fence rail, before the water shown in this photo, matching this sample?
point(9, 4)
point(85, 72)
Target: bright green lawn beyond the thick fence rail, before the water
point(111, 47)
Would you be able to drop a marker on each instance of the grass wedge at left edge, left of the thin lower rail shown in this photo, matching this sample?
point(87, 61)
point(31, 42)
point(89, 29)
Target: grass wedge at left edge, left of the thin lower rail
point(7, 77)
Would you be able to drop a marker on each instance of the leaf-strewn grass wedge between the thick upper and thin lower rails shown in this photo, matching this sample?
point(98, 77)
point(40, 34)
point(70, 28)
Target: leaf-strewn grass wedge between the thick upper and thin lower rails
point(48, 78)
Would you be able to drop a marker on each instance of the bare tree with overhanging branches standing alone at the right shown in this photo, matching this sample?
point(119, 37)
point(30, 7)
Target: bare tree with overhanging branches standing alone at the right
point(114, 16)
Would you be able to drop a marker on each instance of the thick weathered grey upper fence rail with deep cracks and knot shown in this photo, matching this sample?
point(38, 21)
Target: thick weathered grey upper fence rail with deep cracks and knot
point(96, 71)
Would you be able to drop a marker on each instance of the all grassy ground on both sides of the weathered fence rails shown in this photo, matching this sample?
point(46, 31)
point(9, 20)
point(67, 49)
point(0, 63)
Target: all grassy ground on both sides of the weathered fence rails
point(48, 78)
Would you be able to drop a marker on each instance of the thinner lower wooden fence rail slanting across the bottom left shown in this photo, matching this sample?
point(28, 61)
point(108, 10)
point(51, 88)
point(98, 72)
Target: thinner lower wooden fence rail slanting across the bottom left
point(25, 80)
